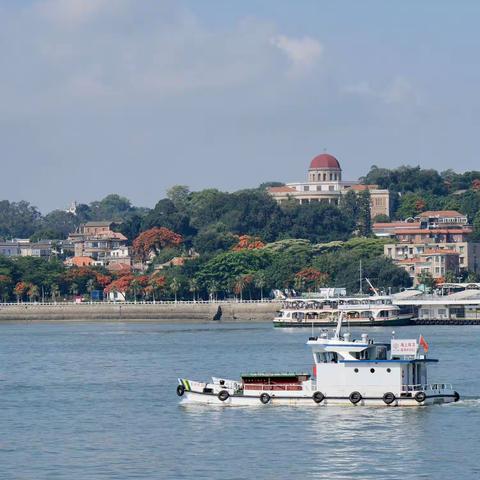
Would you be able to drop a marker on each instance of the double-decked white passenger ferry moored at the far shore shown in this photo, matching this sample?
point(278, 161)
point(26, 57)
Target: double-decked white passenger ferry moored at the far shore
point(375, 310)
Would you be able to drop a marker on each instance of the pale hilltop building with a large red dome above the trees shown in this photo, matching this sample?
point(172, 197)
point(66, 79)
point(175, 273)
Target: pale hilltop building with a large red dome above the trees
point(324, 184)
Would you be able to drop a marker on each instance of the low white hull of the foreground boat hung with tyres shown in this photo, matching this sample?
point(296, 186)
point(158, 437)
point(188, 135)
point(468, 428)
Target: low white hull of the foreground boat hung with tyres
point(307, 401)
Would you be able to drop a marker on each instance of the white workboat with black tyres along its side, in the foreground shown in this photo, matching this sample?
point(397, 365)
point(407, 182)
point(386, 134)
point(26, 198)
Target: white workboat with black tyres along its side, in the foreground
point(346, 371)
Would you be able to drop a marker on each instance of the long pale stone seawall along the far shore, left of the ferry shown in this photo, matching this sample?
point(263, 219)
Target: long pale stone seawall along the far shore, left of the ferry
point(158, 312)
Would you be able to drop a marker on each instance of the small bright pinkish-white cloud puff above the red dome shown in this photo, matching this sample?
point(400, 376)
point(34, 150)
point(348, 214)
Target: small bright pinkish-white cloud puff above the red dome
point(303, 53)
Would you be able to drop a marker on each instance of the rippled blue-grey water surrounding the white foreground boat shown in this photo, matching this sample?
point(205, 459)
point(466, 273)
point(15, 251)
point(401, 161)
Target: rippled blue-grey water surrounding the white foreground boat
point(97, 401)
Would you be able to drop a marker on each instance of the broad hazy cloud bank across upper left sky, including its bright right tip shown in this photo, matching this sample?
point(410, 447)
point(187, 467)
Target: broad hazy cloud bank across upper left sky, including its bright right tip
point(125, 50)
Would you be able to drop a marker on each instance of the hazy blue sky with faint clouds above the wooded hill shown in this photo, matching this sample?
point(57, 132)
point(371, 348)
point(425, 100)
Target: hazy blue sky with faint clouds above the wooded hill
point(135, 96)
